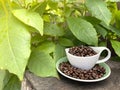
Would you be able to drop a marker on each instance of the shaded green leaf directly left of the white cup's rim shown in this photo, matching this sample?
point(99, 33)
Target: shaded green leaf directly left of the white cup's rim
point(59, 52)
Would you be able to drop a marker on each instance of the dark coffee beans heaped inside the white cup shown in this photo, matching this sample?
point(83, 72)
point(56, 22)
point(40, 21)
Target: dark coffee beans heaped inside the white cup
point(82, 51)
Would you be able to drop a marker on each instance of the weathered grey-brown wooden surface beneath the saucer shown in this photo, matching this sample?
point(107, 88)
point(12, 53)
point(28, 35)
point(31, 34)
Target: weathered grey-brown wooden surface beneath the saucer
point(38, 83)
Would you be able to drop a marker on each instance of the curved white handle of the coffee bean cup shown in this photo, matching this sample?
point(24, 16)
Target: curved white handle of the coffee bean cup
point(107, 57)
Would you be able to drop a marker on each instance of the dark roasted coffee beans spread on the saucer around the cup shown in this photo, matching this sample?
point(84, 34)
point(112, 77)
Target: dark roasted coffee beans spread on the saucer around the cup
point(96, 72)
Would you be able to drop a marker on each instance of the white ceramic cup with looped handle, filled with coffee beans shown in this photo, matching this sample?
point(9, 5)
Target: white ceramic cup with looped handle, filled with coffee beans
point(88, 62)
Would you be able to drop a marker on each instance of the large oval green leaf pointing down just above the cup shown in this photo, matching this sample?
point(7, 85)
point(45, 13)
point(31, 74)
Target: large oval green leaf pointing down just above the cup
point(83, 30)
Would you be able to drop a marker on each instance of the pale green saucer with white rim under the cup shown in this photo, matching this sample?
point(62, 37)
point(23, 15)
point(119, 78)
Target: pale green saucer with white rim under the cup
point(107, 68)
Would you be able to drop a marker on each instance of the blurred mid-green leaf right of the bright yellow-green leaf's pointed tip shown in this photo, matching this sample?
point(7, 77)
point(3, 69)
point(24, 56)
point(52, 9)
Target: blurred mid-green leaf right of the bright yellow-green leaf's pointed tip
point(53, 30)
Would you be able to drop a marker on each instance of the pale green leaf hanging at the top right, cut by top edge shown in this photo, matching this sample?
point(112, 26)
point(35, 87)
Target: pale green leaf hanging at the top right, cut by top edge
point(99, 9)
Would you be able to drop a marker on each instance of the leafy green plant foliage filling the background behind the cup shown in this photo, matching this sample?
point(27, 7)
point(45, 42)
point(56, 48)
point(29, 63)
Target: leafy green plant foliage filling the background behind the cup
point(34, 34)
